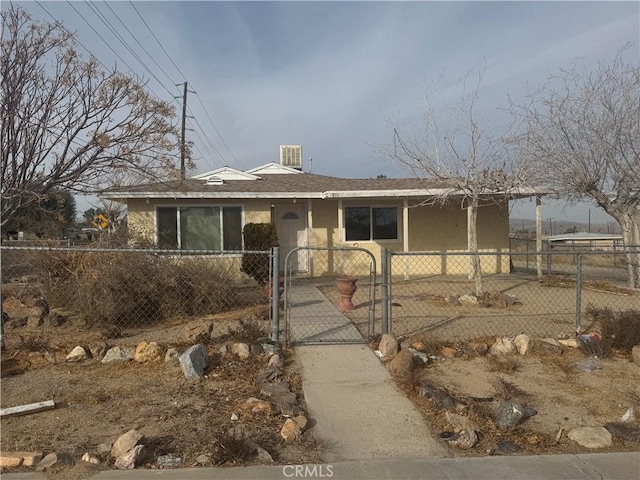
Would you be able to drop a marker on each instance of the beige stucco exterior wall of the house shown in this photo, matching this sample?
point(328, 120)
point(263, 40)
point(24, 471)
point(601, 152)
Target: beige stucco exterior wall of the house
point(431, 229)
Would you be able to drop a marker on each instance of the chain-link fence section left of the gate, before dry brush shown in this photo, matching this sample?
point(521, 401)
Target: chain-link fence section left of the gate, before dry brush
point(125, 288)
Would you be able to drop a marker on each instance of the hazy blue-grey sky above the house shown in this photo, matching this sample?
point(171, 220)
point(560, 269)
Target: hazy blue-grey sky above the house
point(326, 74)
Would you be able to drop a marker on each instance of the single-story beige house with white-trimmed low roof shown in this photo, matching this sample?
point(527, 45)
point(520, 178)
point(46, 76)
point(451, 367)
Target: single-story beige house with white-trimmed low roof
point(208, 212)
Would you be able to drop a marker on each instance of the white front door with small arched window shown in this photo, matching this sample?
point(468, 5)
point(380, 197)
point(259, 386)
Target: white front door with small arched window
point(291, 223)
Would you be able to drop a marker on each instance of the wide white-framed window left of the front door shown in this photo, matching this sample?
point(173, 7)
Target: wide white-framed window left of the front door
point(199, 228)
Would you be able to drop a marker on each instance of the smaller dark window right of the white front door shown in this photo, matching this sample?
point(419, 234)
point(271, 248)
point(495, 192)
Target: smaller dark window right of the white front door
point(370, 223)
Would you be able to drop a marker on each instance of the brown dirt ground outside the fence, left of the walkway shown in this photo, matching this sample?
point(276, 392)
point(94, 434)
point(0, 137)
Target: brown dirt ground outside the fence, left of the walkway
point(96, 403)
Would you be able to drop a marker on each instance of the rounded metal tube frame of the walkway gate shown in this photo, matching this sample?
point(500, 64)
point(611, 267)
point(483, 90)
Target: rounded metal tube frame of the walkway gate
point(288, 283)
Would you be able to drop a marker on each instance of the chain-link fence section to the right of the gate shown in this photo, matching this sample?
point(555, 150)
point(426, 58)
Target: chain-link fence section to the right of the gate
point(430, 292)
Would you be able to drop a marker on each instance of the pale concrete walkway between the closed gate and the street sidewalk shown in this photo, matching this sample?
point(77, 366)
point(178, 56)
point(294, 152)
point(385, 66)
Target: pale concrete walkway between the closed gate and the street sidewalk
point(357, 409)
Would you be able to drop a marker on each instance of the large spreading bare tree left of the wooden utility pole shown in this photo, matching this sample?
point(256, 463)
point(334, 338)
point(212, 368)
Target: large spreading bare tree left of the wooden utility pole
point(68, 123)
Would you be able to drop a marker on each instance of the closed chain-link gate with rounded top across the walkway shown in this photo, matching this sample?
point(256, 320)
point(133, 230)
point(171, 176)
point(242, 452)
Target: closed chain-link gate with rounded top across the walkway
point(315, 312)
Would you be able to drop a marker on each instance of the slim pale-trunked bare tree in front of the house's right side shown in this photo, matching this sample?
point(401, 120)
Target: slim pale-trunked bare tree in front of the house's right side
point(461, 151)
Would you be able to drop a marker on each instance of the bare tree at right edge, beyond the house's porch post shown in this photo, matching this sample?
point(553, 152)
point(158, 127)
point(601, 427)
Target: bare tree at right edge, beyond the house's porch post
point(582, 131)
